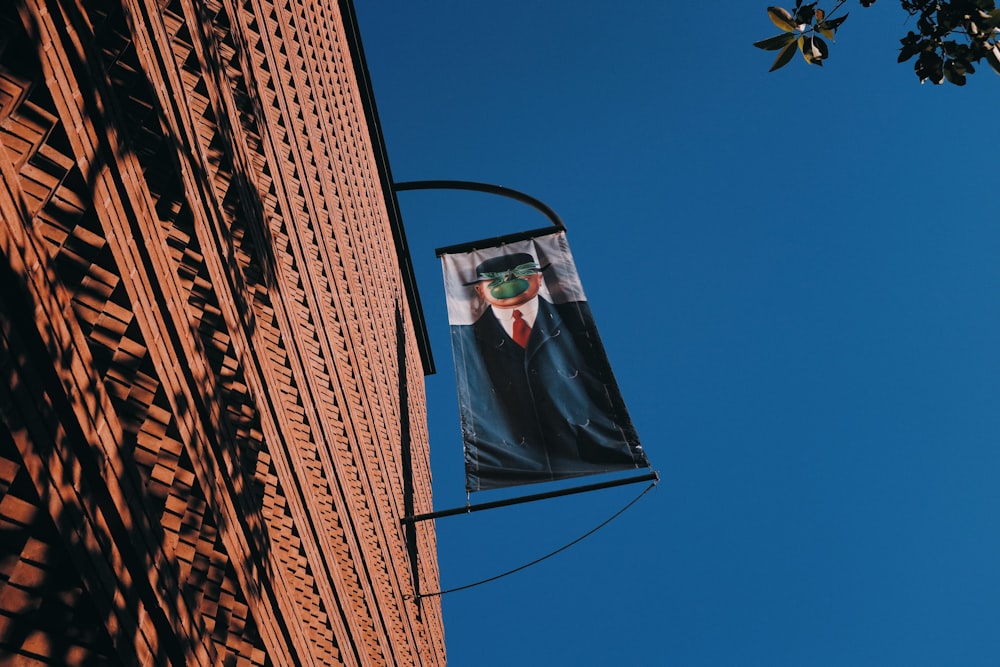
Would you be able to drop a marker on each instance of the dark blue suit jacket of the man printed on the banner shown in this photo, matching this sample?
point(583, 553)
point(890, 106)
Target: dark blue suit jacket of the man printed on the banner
point(549, 411)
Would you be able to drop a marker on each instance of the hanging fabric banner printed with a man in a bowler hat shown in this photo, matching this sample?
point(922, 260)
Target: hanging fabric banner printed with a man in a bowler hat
point(537, 397)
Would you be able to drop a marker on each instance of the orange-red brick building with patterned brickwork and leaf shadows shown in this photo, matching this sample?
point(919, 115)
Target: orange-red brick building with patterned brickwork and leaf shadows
point(211, 411)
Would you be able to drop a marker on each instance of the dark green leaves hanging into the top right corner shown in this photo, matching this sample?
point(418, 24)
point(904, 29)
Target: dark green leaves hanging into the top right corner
point(951, 36)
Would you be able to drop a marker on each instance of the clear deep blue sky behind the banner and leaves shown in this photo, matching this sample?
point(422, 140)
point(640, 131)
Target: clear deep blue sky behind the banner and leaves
point(796, 277)
